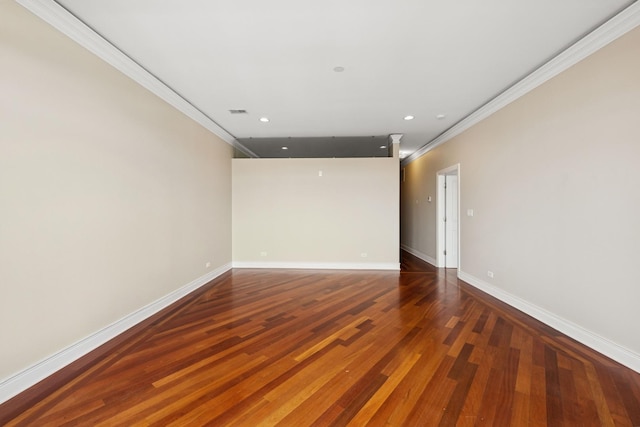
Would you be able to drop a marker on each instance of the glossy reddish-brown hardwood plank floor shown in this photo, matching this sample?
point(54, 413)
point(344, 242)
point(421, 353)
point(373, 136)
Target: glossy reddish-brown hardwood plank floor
point(298, 348)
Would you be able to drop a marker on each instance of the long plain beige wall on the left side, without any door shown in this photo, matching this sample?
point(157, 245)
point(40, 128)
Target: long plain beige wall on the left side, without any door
point(109, 198)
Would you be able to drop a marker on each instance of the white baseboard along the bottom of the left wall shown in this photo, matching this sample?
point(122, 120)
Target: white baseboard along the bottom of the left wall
point(28, 377)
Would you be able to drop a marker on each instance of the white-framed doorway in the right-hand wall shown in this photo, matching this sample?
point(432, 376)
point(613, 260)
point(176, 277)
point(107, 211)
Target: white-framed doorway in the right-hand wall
point(448, 217)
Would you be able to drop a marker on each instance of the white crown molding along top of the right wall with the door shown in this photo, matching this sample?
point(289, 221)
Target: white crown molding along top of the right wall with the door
point(615, 27)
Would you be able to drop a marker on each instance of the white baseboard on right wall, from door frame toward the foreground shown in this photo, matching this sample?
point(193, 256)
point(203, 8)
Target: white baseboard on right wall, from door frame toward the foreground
point(616, 352)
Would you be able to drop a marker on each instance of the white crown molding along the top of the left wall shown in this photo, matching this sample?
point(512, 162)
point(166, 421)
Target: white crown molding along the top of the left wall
point(65, 22)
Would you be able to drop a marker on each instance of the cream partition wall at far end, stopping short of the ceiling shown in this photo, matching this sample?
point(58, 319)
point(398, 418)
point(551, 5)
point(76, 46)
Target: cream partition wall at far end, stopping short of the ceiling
point(284, 208)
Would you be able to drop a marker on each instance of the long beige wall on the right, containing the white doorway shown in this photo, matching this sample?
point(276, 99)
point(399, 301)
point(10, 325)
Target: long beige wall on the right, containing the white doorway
point(554, 180)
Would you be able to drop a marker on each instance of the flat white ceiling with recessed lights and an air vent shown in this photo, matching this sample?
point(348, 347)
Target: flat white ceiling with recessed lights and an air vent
point(276, 58)
